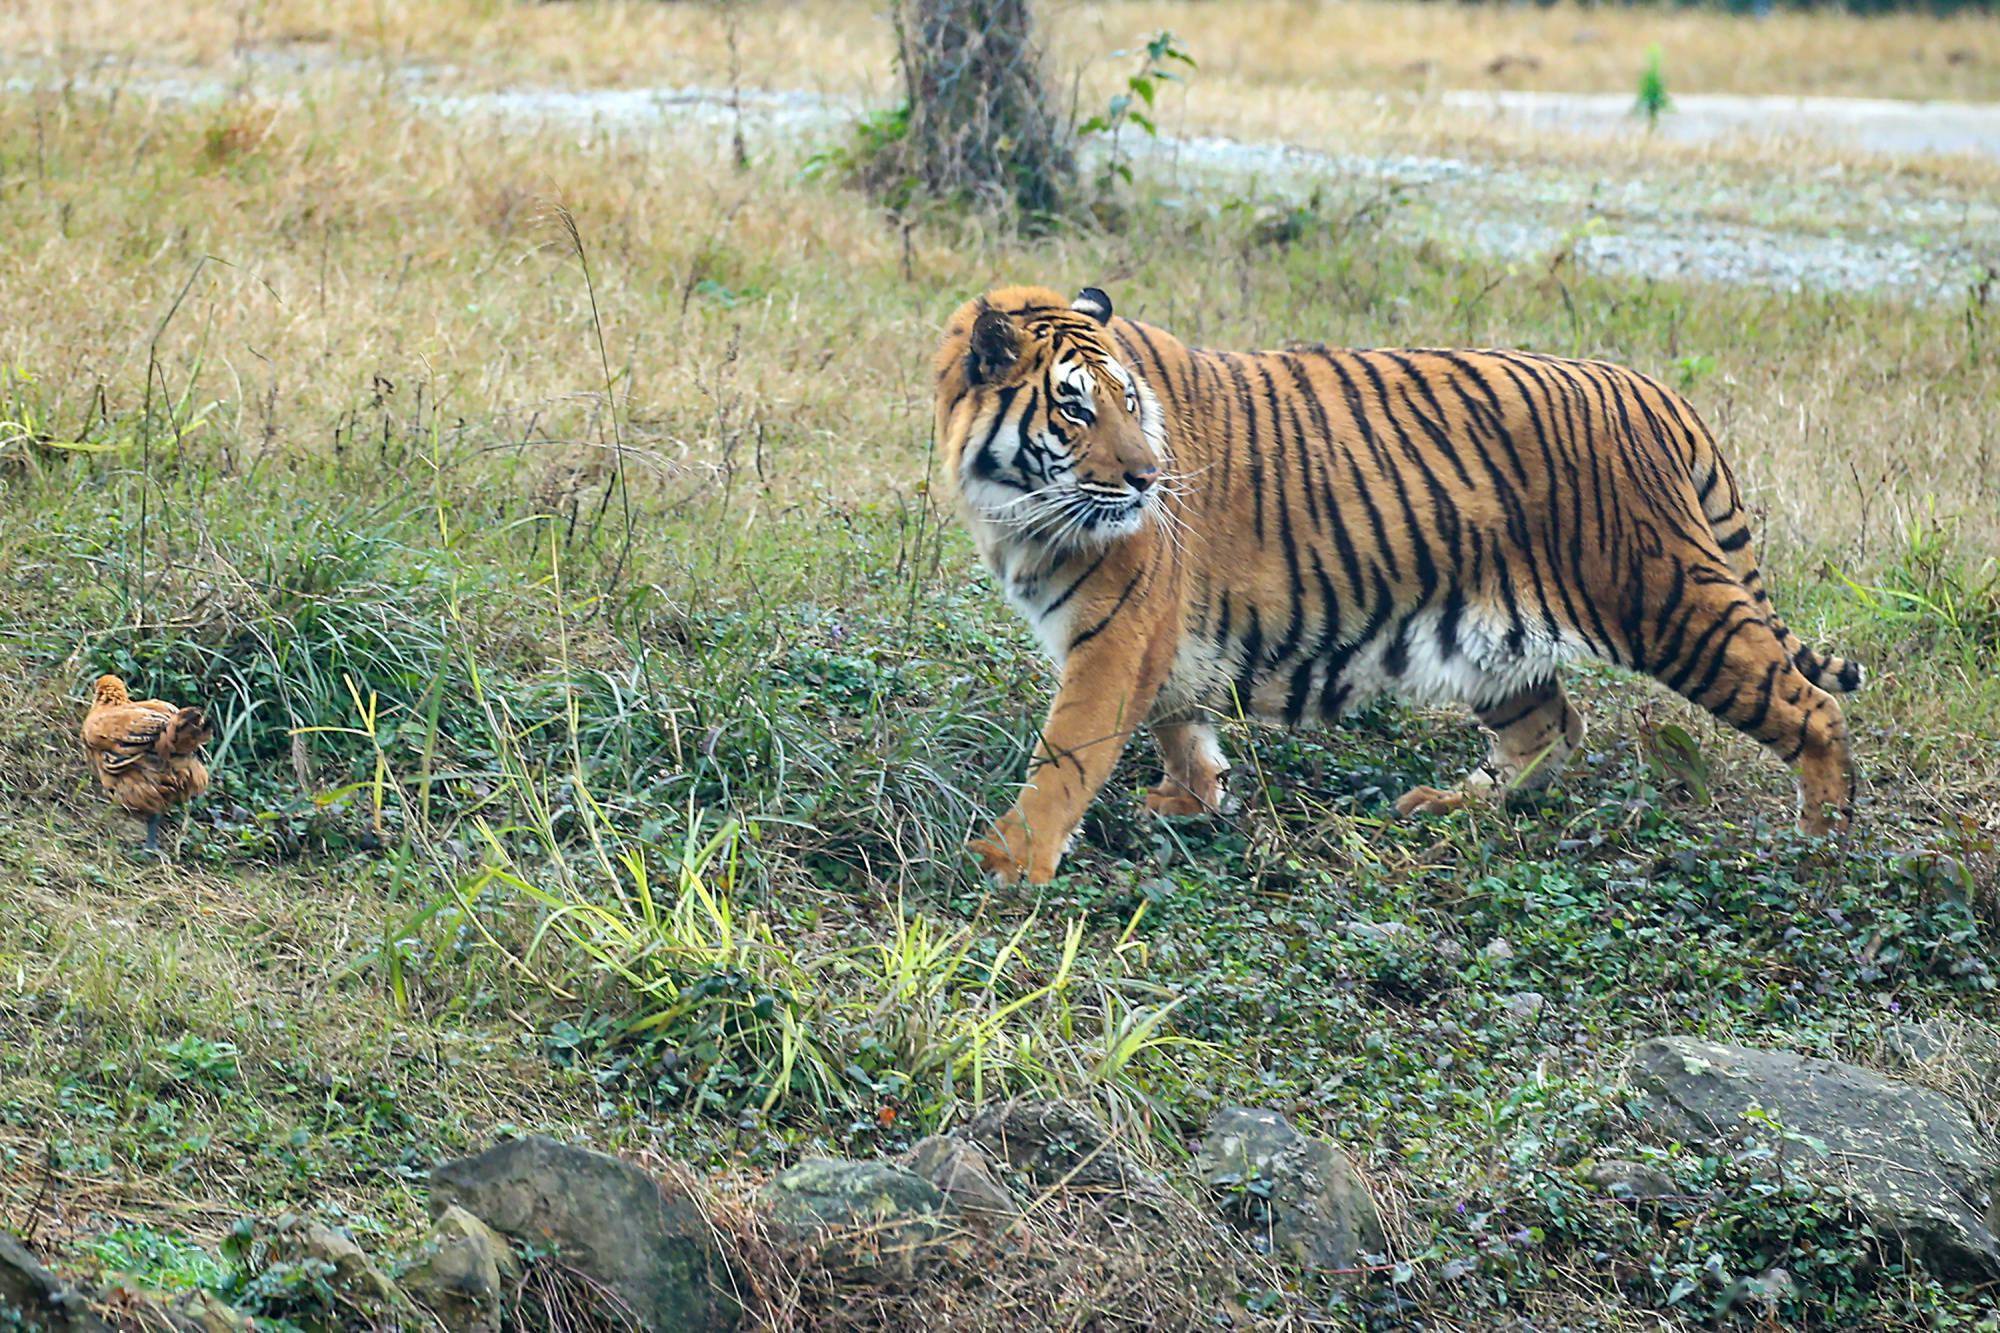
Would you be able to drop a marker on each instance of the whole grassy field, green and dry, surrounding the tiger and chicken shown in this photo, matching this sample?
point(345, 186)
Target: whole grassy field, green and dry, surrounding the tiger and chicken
point(525, 561)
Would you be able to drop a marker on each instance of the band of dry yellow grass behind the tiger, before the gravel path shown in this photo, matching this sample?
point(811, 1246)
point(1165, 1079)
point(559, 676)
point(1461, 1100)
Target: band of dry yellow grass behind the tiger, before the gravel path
point(387, 245)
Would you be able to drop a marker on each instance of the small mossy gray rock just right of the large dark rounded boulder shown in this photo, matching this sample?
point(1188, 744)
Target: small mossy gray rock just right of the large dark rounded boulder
point(869, 1218)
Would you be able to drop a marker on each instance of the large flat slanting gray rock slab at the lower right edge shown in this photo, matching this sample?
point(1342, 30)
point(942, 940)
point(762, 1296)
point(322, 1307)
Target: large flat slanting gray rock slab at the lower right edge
point(1905, 1158)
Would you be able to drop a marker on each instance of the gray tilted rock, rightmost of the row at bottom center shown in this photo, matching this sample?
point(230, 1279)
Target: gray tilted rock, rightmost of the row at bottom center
point(1297, 1192)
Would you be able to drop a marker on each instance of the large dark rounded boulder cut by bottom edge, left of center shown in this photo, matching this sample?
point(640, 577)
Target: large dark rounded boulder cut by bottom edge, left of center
point(651, 1246)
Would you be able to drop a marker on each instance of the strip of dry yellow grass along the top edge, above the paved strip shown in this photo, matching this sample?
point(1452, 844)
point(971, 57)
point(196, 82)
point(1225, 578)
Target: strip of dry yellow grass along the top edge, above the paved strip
point(1247, 45)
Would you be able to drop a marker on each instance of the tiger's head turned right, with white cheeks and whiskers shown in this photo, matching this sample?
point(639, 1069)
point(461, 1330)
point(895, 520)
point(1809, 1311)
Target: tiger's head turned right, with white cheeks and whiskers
point(1053, 439)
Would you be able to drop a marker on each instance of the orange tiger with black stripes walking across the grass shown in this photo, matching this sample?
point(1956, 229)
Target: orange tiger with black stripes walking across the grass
point(1199, 535)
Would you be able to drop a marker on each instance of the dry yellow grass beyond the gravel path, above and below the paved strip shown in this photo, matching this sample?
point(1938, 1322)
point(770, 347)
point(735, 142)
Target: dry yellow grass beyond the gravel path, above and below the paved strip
point(1331, 77)
